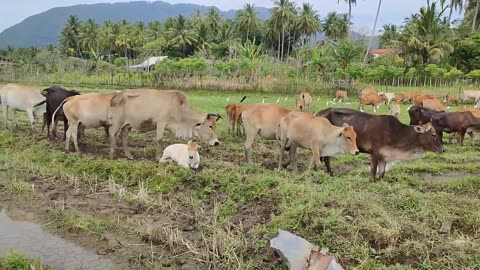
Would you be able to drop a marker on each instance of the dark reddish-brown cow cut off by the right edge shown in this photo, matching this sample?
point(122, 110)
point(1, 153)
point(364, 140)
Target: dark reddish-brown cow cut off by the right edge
point(450, 122)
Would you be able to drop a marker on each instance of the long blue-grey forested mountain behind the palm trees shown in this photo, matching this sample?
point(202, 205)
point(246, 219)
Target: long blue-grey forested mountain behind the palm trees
point(44, 28)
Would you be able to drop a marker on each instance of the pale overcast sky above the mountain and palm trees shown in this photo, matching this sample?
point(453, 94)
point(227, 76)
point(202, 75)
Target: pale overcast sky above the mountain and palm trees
point(392, 11)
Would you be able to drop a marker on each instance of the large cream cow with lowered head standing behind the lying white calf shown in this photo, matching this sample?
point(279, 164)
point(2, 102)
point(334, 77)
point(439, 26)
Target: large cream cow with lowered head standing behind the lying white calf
point(148, 109)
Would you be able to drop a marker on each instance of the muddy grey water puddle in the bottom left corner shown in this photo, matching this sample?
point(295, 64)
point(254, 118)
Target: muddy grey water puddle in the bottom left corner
point(19, 233)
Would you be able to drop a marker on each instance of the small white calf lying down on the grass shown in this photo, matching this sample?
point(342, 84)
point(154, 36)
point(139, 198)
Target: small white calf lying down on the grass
point(186, 155)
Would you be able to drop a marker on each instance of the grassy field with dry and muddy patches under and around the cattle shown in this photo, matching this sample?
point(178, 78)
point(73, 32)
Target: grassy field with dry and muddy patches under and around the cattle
point(142, 214)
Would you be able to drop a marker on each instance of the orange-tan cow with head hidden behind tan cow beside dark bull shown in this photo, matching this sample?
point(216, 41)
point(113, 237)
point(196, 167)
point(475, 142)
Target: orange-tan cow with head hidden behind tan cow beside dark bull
point(261, 119)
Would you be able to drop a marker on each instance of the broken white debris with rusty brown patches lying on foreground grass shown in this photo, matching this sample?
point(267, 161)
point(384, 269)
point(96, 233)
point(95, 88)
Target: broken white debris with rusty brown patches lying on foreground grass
point(299, 254)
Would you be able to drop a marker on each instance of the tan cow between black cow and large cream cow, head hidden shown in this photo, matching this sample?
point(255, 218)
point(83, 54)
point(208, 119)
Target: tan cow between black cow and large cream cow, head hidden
point(88, 110)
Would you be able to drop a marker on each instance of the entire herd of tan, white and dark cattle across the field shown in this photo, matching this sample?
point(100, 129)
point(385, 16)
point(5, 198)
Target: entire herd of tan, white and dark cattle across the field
point(328, 132)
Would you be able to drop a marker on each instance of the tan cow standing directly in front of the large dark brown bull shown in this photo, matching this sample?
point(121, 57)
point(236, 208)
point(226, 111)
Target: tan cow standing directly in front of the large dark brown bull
point(315, 133)
